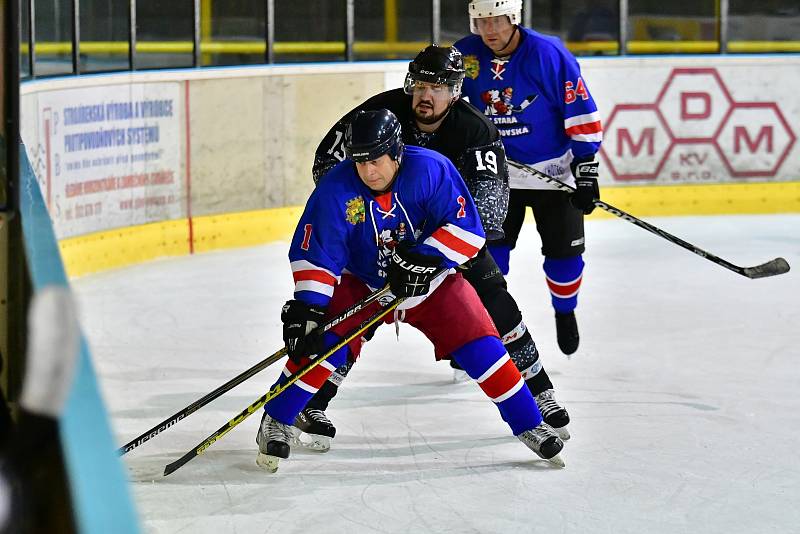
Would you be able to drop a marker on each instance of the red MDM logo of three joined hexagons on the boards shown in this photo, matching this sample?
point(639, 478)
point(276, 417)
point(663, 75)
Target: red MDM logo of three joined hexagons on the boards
point(700, 129)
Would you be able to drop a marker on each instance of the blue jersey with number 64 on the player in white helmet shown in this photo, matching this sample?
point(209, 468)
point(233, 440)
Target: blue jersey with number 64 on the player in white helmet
point(538, 100)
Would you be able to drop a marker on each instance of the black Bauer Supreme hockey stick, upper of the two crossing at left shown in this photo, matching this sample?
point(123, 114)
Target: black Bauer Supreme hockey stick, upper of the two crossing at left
point(232, 383)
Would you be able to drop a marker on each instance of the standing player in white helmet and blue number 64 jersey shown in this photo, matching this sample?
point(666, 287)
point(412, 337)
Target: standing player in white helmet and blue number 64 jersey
point(531, 87)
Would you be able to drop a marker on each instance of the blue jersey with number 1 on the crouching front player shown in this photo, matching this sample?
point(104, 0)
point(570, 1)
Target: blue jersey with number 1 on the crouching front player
point(347, 228)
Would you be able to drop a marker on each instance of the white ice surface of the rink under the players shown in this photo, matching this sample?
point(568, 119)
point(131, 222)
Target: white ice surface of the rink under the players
point(684, 396)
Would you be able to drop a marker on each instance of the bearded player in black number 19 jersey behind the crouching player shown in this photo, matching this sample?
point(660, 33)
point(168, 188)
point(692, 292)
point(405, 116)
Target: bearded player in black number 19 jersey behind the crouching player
point(433, 116)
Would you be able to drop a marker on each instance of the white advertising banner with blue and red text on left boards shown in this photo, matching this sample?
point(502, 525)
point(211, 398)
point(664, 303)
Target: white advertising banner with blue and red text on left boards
point(109, 157)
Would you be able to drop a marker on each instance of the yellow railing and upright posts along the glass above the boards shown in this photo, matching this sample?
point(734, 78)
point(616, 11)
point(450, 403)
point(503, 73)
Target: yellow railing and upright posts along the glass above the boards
point(201, 45)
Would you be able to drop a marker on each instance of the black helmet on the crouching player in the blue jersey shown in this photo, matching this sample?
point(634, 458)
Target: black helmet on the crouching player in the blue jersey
point(371, 134)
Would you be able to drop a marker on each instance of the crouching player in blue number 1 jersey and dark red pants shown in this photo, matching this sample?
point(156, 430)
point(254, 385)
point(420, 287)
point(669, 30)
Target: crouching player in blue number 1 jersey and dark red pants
point(388, 214)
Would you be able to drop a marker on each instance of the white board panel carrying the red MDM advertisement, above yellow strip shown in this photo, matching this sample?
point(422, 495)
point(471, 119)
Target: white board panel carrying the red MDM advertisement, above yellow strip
point(690, 121)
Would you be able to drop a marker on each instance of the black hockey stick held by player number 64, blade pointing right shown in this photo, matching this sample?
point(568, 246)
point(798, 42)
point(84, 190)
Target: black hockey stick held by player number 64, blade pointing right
point(770, 268)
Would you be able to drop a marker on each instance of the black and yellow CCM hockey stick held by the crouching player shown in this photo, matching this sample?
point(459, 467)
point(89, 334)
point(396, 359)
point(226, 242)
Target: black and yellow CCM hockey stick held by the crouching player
point(277, 390)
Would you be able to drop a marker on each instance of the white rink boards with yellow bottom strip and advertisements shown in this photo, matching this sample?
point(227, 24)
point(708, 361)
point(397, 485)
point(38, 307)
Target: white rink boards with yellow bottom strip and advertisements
point(135, 166)
